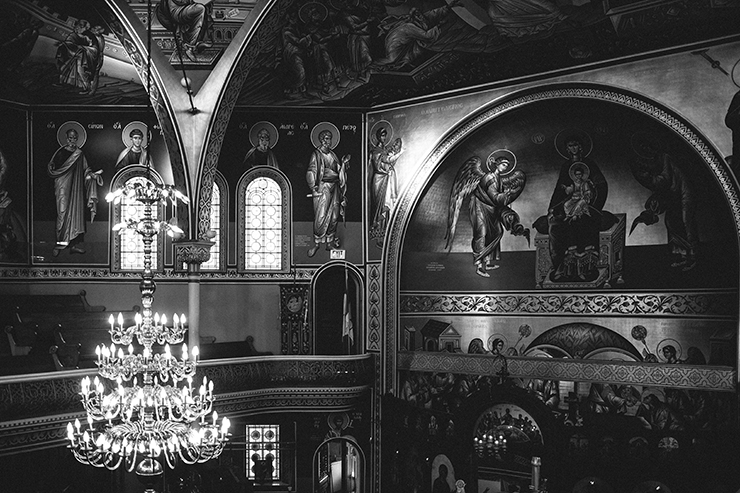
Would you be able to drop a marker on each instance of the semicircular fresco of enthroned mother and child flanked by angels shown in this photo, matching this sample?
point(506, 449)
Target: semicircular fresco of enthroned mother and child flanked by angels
point(577, 194)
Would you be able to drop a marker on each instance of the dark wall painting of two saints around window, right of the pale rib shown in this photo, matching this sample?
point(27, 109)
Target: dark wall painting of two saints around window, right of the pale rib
point(326, 184)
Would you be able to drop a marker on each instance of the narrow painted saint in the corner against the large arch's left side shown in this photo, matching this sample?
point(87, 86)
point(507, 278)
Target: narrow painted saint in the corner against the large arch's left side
point(384, 187)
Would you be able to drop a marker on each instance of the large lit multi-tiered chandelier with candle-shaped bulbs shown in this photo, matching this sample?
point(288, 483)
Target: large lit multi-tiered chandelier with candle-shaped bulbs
point(143, 420)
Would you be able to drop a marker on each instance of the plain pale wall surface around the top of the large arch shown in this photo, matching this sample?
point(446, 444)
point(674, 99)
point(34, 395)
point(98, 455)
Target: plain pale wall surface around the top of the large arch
point(670, 80)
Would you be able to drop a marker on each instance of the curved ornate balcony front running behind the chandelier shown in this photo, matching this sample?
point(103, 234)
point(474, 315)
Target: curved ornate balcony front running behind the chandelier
point(35, 408)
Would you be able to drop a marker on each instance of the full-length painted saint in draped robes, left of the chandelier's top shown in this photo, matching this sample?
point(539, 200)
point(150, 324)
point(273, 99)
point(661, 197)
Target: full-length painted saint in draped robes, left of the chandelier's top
point(75, 188)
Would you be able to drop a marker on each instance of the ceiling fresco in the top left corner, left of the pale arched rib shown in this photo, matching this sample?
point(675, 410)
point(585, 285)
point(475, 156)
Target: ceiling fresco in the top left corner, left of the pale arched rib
point(64, 53)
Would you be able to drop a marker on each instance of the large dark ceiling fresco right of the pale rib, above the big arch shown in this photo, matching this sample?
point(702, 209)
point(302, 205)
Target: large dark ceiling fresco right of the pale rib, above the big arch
point(365, 53)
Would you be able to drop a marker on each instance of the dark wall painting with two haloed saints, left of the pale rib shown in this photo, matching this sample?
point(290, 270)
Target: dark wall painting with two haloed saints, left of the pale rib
point(70, 182)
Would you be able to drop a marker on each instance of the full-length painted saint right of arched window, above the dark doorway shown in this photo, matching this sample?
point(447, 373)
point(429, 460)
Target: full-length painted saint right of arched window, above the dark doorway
point(327, 179)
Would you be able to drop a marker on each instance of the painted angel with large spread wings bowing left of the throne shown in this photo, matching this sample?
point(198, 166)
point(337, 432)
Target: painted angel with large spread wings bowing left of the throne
point(492, 188)
